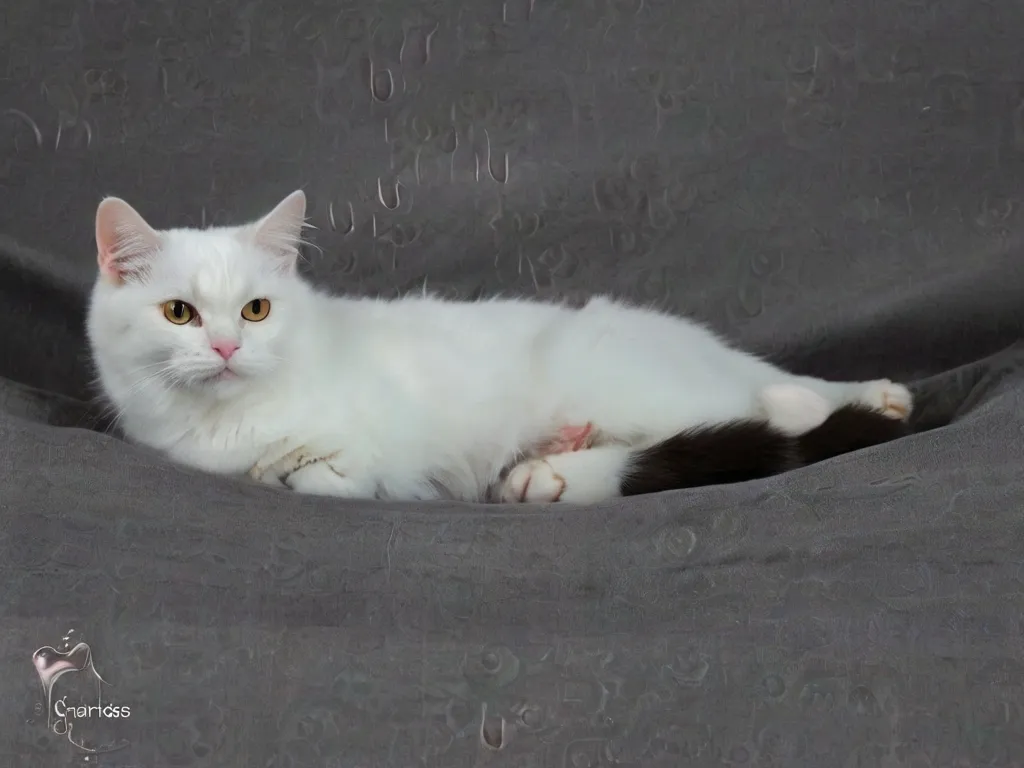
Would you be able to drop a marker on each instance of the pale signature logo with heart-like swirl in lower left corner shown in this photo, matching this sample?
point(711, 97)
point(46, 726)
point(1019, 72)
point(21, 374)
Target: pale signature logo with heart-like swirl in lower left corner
point(74, 657)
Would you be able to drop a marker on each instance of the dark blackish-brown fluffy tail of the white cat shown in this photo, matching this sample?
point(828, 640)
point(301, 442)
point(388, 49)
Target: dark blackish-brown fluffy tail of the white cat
point(750, 450)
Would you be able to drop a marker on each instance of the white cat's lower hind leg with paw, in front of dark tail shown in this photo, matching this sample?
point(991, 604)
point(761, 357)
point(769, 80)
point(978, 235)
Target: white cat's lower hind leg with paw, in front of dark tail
point(577, 478)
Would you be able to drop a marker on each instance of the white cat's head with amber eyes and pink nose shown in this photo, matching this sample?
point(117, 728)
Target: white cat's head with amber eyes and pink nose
point(204, 311)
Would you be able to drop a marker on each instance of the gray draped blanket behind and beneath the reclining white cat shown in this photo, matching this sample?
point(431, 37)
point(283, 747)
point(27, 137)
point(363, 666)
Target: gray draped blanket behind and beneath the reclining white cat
point(833, 184)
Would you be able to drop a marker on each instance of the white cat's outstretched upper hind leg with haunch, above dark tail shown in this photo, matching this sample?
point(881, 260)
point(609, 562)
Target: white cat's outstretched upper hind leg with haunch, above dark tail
point(643, 376)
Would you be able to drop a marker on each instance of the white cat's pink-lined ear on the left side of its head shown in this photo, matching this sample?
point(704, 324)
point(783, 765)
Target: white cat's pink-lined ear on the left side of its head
point(124, 241)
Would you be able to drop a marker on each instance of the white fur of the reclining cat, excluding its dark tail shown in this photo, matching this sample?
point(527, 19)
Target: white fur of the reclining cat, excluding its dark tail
point(410, 399)
